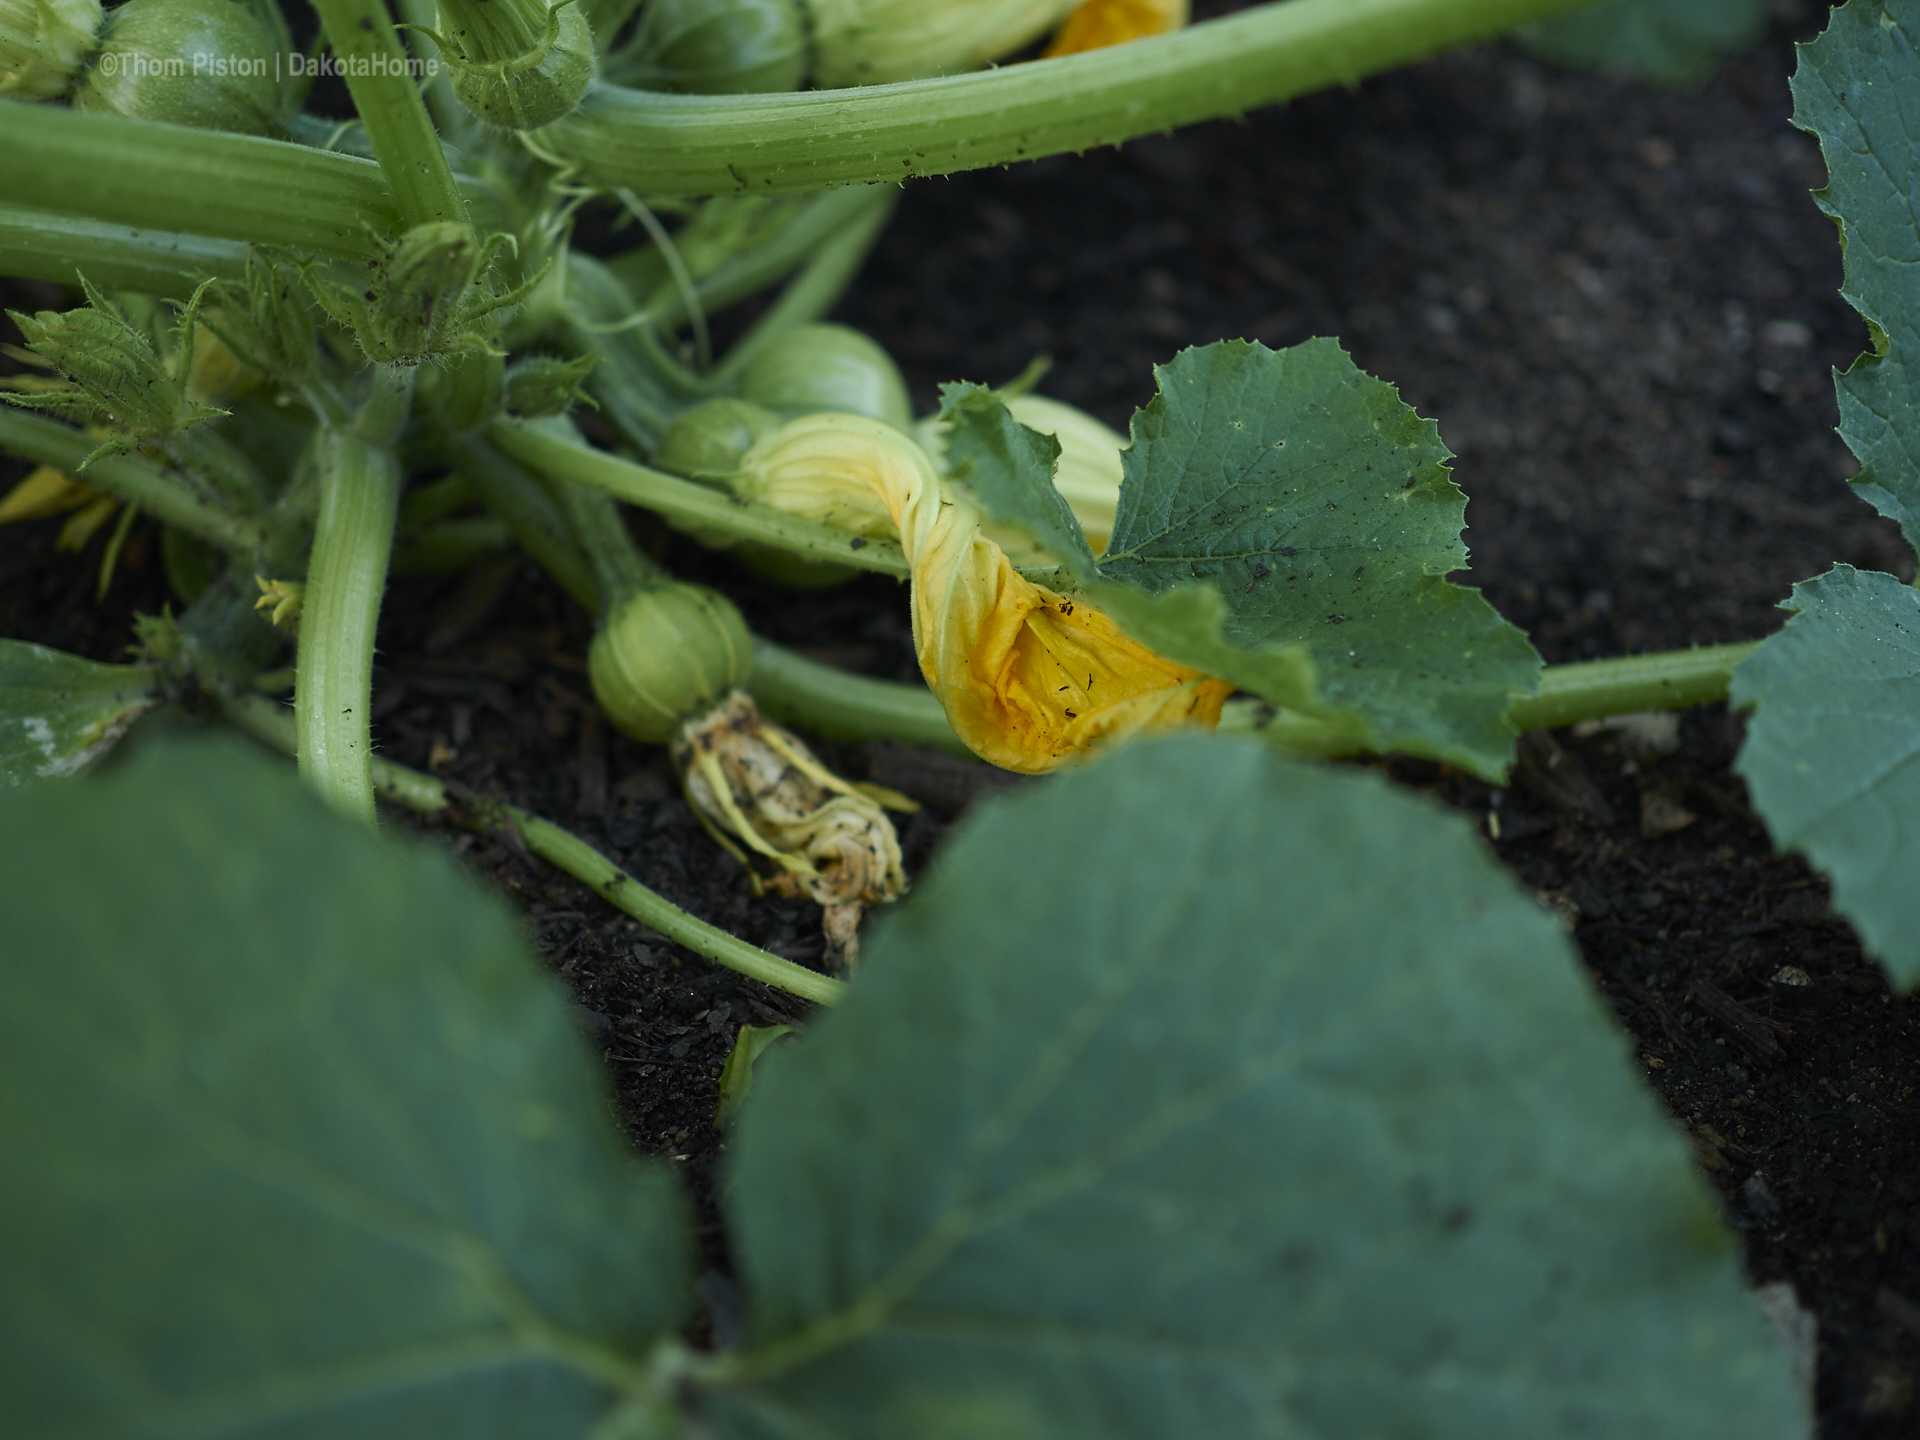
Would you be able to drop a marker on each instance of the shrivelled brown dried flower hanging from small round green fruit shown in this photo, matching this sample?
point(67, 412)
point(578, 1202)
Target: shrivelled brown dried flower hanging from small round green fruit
point(761, 792)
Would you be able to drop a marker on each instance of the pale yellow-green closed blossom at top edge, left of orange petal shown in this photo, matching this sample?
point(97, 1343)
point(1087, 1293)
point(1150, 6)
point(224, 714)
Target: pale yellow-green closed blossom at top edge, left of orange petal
point(876, 41)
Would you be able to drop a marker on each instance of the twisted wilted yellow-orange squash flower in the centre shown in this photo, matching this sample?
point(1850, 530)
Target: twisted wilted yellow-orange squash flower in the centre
point(1028, 677)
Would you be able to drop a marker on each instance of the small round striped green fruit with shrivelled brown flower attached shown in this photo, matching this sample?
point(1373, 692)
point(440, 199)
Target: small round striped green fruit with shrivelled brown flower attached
point(665, 654)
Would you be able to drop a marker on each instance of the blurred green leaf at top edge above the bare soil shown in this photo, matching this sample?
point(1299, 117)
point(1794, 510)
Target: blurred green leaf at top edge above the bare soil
point(1677, 43)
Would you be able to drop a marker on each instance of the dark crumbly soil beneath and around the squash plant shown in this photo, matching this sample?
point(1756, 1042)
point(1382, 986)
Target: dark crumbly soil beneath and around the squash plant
point(1621, 308)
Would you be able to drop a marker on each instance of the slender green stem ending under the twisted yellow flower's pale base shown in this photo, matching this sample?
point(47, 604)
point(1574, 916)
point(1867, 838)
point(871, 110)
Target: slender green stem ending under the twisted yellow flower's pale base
point(690, 504)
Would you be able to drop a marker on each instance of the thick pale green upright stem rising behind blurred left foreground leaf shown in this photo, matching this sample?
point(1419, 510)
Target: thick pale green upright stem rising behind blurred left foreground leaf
point(347, 577)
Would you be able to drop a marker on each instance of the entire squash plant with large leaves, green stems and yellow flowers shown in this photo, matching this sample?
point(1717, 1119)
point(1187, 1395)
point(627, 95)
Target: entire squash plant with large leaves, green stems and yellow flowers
point(1132, 1120)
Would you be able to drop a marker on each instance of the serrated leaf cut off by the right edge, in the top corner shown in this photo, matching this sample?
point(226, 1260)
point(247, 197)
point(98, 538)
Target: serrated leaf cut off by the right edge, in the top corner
point(1858, 87)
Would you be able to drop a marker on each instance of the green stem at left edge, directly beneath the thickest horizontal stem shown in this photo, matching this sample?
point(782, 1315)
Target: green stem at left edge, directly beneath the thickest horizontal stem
point(60, 249)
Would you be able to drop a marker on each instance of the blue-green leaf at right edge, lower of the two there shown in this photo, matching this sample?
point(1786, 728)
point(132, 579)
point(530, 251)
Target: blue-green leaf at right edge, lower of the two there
point(1833, 754)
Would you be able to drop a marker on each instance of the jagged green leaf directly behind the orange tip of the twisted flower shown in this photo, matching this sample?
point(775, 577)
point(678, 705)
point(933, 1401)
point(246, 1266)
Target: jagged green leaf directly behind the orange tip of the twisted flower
point(1320, 510)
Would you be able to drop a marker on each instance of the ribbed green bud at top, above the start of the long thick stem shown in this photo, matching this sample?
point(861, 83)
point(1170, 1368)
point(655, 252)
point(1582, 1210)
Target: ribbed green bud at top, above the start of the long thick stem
point(517, 64)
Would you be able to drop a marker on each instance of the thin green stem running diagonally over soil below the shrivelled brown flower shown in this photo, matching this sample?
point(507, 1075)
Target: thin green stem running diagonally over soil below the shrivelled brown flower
point(274, 723)
